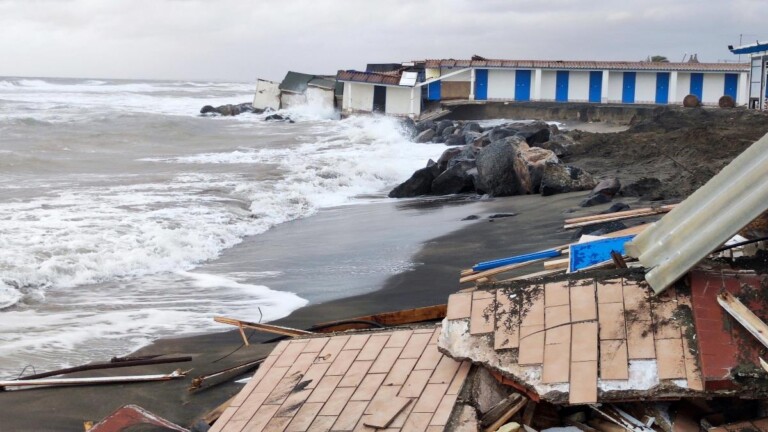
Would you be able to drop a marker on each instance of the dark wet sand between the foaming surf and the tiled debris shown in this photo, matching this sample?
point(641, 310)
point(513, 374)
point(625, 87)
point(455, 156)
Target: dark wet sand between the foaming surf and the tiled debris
point(446, 245)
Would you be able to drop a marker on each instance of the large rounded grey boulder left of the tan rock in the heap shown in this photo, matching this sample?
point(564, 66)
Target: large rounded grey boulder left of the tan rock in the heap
point(502, 171)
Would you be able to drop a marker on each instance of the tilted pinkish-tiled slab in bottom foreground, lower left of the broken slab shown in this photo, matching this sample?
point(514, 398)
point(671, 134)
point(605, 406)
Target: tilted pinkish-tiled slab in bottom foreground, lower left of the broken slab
point(396, 380)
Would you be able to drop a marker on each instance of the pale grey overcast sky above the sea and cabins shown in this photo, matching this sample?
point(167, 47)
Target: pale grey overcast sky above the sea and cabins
point(241, 40)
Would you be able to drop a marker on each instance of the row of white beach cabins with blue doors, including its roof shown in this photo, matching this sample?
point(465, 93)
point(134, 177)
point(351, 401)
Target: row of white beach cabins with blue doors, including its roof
point(406, 90)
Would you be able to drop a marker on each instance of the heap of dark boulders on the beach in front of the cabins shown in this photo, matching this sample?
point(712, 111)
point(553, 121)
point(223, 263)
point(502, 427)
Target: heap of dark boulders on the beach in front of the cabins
point(509, 159)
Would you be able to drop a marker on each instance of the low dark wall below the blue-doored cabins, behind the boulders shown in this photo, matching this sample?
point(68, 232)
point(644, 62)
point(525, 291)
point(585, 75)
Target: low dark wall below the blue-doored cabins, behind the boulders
point(615, 114)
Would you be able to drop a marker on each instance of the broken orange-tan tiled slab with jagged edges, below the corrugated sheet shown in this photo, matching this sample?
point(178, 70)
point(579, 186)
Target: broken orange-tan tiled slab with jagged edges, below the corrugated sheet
point(585, 333)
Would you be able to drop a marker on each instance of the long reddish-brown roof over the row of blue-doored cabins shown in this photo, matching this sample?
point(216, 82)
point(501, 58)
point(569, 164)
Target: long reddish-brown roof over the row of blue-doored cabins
point(591, 65)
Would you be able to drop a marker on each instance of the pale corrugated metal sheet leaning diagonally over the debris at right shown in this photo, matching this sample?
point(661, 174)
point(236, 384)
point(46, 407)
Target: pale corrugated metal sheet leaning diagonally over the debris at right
point(705, 220)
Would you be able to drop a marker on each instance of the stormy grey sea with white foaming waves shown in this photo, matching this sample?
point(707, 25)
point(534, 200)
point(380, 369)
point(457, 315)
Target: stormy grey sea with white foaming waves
point(121, 211)
